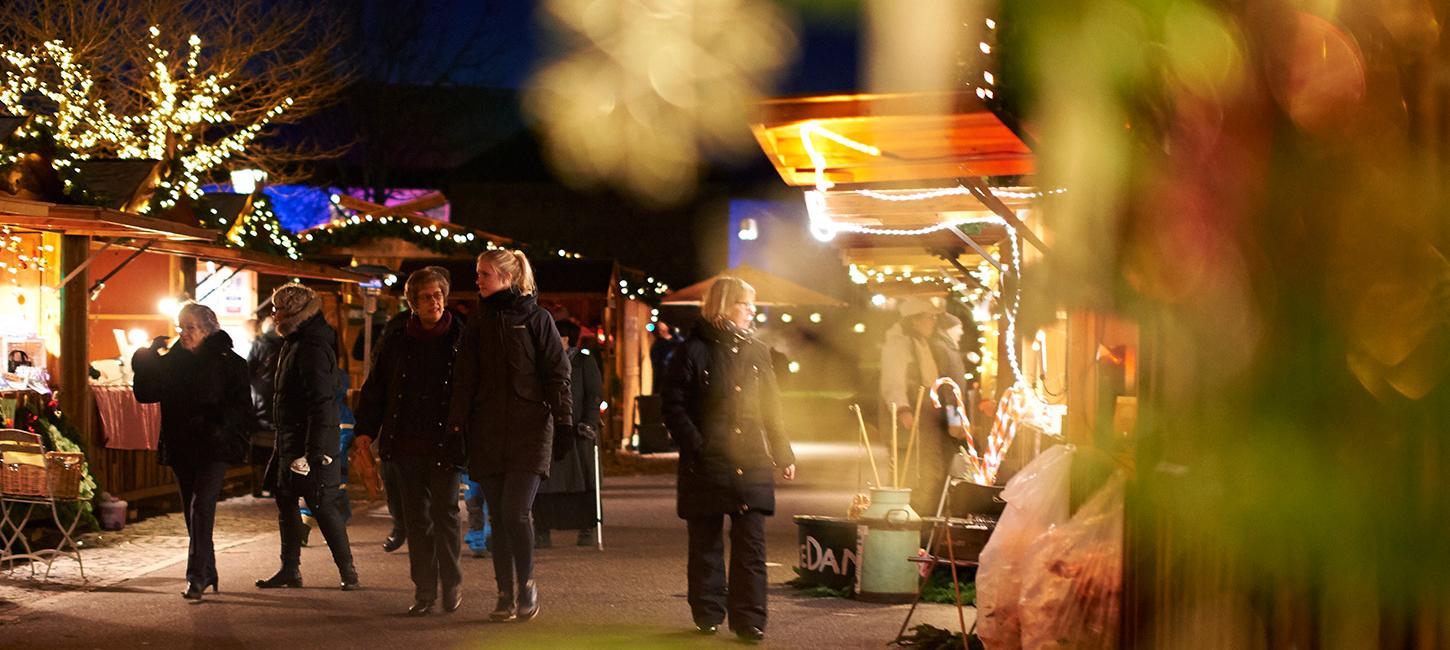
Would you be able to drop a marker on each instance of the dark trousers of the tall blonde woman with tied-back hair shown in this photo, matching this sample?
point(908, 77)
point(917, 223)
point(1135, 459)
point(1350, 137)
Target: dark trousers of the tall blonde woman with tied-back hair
point(511, 504)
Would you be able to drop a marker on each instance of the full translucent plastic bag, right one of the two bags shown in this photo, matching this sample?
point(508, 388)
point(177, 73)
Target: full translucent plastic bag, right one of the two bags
point(1072, 588)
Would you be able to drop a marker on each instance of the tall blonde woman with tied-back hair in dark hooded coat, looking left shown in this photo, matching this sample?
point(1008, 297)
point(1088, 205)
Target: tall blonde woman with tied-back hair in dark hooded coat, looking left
point(511, 400)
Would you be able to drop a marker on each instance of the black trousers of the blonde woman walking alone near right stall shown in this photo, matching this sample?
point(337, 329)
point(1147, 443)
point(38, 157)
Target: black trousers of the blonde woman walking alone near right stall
point(746, 597)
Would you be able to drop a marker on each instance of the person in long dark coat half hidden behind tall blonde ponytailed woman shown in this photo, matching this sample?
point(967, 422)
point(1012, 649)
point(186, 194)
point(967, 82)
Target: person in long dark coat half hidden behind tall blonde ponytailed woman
point(568, 498)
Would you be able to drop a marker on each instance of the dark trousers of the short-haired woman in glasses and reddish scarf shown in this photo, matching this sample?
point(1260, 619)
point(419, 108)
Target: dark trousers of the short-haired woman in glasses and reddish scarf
point(430, 495)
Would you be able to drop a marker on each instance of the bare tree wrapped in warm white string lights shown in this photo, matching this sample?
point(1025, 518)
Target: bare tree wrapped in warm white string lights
point(192, 85)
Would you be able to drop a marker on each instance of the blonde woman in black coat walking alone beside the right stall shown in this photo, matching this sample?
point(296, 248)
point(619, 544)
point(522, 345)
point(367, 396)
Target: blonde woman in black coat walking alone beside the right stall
point(723, 410)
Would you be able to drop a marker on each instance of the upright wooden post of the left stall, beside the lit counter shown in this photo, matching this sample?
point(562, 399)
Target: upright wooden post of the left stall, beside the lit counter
point(75, 368)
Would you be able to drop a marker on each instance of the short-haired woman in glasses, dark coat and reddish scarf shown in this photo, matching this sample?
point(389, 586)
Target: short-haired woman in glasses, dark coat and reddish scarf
point(404, 404)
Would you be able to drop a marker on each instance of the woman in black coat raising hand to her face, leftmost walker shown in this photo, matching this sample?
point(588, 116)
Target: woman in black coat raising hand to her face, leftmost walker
point(207, 414)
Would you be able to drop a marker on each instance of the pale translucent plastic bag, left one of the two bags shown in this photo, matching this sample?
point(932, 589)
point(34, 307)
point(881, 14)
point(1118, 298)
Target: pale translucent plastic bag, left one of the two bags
point(1036, 500)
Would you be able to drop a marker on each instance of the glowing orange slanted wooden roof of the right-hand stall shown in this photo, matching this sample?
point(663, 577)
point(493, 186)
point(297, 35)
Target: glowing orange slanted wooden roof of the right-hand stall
point(916, 137)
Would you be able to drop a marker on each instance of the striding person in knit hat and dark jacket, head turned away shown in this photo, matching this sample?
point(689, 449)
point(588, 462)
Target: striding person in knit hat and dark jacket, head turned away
point(307, 419)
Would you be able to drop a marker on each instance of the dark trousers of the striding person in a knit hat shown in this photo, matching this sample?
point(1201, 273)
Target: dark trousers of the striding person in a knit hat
point(320, 490)
